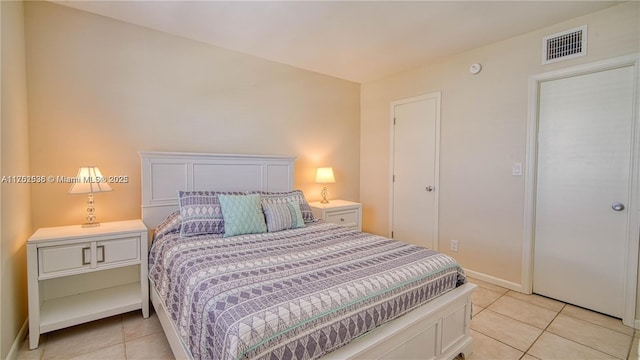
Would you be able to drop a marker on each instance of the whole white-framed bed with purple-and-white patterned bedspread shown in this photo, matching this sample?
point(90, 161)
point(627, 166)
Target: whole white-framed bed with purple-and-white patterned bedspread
point(310, 290)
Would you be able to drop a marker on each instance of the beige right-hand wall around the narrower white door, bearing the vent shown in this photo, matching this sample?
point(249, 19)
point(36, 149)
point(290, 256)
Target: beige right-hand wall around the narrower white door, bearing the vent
point(483, 132)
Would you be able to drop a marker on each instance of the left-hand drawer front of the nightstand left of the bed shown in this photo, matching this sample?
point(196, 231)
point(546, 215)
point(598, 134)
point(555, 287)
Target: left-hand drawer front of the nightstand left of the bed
point(62, 258)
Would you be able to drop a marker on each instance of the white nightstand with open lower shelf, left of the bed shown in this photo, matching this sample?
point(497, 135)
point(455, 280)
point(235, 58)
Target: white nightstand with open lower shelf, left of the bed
point(76, 275)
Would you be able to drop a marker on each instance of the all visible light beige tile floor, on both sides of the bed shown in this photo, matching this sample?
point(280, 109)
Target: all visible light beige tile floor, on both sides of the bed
point(505, 325)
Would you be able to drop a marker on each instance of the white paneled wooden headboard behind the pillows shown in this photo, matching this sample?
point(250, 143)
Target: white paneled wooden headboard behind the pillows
point(165, 173)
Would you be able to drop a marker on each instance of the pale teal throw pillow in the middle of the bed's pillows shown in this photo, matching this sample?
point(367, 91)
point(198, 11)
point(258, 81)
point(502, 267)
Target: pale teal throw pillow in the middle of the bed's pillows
point(242, 214)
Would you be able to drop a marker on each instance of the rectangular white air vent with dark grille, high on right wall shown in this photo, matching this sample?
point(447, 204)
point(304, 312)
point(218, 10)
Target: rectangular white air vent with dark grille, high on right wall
point(564, 45)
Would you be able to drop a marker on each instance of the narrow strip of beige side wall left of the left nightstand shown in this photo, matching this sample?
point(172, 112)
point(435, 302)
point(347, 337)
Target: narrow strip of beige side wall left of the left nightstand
point(15, 212)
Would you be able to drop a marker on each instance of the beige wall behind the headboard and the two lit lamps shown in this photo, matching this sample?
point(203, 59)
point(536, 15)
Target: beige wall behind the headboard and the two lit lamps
point(101, 90)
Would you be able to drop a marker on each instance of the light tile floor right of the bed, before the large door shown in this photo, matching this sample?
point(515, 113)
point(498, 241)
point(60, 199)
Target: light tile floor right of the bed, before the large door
point(511, 325)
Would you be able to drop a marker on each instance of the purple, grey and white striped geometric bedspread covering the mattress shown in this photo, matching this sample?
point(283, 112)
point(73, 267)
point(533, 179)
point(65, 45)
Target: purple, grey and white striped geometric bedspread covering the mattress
point(293, 294)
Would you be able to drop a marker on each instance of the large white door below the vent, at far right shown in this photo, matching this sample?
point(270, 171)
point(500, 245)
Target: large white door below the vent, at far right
point(583, 188)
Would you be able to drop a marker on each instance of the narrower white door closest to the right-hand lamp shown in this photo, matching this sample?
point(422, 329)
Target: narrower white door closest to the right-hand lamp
point(415, 165)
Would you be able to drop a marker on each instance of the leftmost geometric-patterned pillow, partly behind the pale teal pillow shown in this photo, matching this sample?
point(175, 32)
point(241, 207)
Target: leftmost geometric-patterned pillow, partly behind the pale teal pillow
point(201, 213)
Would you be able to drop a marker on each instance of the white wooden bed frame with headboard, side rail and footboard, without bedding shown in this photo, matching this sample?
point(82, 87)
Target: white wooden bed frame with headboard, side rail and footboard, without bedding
point(436, 330)
